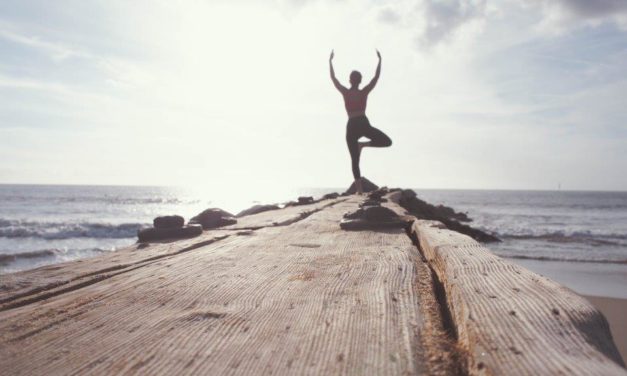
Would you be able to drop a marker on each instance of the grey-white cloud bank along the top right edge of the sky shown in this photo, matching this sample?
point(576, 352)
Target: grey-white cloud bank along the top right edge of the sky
point(439, 21)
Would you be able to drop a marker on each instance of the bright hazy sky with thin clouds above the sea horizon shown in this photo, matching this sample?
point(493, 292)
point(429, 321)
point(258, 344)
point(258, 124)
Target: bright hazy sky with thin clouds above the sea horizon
point(508, 94)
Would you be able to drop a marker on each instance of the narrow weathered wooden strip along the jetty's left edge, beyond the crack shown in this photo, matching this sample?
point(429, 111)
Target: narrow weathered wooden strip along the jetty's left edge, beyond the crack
point(21, 288)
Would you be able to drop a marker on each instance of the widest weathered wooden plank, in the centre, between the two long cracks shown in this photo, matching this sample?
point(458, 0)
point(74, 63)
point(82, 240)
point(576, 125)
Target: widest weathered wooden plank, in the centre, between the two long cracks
point(306, 298)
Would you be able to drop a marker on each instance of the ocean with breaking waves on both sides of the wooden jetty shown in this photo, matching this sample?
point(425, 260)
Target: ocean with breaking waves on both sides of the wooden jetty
point(41, 225)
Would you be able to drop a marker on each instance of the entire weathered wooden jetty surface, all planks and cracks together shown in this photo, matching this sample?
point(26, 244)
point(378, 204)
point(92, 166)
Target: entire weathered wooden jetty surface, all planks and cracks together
point(288, 292)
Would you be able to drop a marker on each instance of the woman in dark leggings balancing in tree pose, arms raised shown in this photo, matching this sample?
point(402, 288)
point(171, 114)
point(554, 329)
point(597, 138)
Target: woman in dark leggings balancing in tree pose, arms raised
point(358, 125)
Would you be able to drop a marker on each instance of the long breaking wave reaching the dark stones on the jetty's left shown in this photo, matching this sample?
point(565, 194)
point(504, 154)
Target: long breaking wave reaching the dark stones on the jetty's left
point(67, 230)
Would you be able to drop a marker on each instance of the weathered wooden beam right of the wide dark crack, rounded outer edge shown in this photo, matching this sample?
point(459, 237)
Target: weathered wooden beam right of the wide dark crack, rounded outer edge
point(511, 320)
